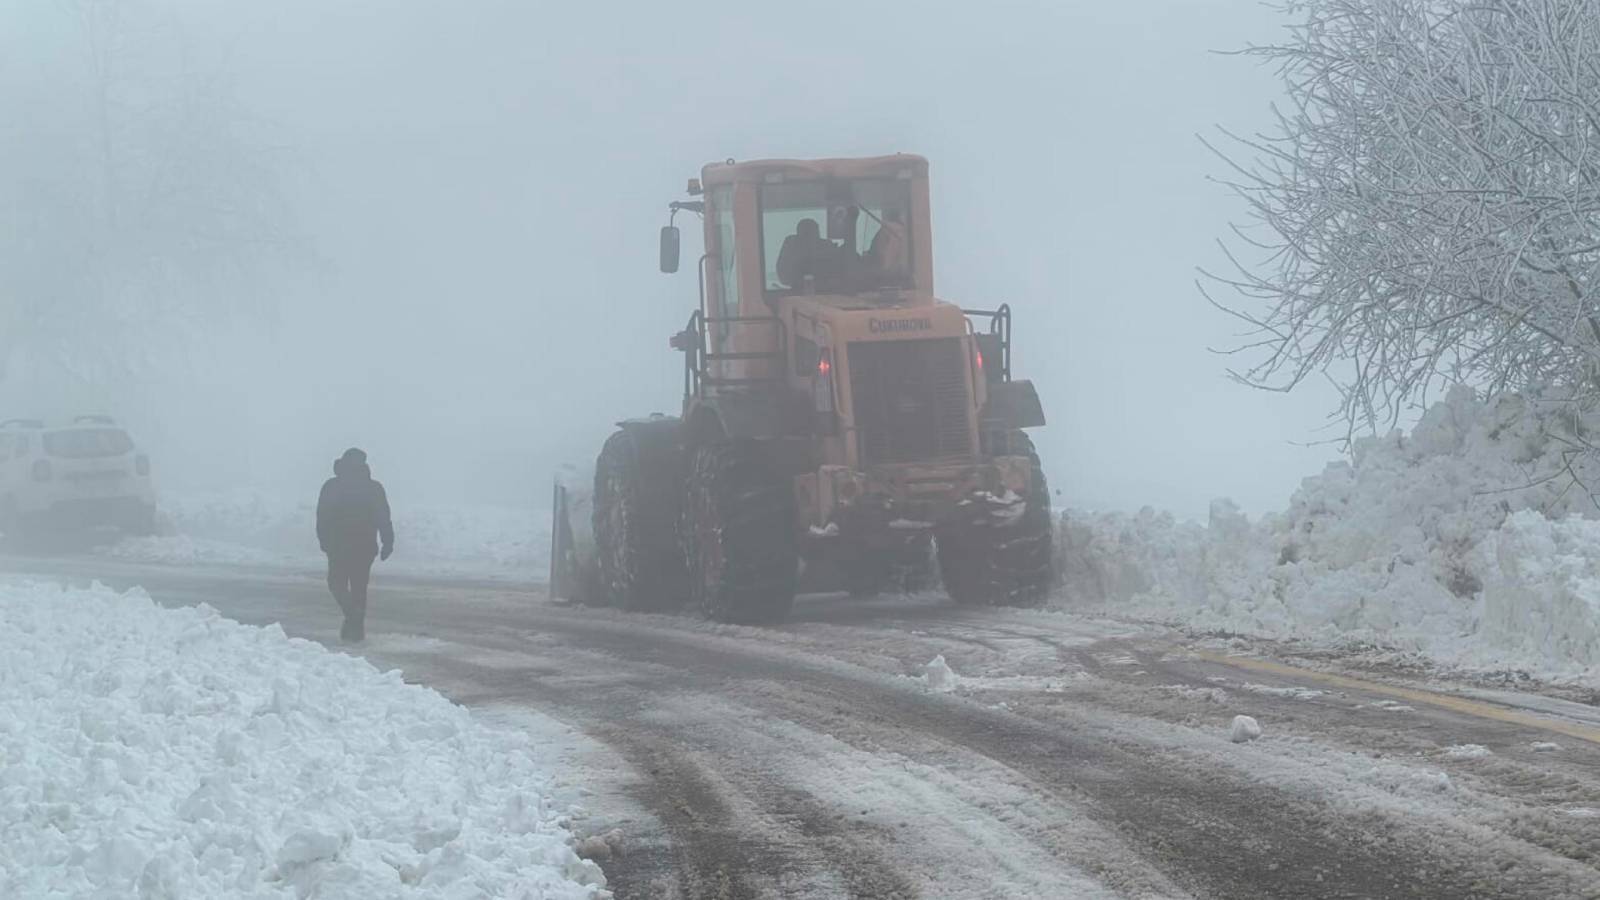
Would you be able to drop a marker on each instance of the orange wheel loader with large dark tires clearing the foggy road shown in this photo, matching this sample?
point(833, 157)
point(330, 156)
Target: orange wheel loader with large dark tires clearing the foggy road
point(841, 424)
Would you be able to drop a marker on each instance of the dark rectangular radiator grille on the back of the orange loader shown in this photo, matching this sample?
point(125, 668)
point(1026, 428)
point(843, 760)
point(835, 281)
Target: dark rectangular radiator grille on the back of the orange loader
point(911, 401)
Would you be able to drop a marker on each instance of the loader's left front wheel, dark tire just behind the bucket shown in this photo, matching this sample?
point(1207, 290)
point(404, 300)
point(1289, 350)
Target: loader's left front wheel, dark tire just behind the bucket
point(636, 510)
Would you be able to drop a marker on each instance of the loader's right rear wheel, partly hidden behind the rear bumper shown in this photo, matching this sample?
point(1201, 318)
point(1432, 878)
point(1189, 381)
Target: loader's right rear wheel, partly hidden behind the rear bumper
point(1002, 563)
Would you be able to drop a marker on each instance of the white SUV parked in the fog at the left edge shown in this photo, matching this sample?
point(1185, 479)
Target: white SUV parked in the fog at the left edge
point(76, 476)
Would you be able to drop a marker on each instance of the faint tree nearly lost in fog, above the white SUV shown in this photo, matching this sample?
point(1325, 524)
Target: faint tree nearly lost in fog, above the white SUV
point(142, 211)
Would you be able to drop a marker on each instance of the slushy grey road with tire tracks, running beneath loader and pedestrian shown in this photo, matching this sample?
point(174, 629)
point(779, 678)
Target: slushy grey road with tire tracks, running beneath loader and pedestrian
point(1066, 757)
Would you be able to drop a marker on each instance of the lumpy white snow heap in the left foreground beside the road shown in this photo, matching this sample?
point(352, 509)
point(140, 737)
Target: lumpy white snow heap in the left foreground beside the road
point(174, 753)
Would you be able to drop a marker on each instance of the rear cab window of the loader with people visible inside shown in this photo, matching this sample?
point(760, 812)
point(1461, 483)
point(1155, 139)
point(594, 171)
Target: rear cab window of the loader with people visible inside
point(836, 236)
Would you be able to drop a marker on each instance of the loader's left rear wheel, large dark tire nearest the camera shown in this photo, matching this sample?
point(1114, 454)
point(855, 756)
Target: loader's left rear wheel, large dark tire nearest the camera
point(740, 536)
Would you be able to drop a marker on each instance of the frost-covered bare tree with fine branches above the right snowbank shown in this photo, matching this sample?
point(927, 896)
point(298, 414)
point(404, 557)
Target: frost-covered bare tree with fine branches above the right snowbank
point(1428, 207)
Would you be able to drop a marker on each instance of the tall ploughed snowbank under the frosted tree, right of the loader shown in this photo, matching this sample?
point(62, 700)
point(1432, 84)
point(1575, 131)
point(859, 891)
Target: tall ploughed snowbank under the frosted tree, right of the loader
point(1465, 540)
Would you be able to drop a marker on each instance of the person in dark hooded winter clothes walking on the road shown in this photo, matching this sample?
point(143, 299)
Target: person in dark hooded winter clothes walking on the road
point(353, 516)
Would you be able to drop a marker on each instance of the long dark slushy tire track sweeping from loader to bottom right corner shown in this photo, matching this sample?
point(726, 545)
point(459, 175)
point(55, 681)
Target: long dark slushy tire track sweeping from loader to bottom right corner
point(1276, 845)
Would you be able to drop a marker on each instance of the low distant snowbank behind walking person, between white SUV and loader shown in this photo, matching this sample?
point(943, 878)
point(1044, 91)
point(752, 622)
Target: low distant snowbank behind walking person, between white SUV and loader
point(250, 528)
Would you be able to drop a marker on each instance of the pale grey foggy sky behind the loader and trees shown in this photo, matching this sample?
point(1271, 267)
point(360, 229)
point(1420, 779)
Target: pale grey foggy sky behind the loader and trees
point(463, 271)
